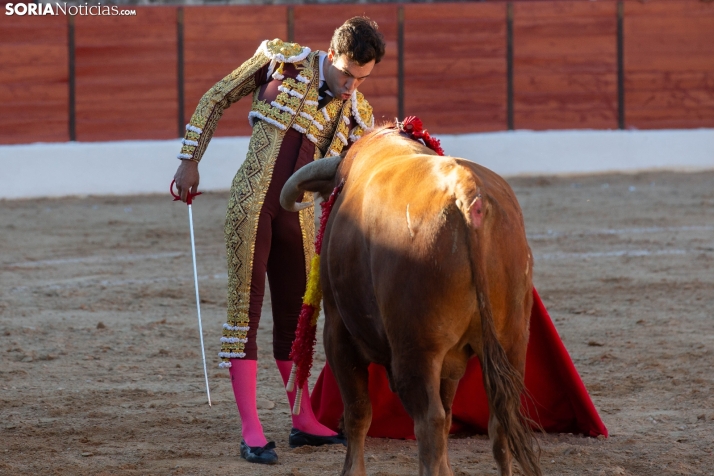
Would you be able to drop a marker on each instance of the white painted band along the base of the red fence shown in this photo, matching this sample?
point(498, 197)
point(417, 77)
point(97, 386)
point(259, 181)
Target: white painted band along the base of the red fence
point(139, 167)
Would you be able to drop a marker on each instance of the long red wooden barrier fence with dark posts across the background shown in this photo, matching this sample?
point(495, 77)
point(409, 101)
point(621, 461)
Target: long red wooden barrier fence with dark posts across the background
point(461, 67)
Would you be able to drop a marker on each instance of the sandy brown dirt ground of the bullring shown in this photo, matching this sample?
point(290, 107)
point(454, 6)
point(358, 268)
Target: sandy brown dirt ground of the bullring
point(100, 368)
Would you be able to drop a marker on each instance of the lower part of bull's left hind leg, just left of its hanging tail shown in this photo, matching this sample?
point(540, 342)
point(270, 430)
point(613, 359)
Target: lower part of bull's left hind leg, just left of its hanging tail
point(418, 383)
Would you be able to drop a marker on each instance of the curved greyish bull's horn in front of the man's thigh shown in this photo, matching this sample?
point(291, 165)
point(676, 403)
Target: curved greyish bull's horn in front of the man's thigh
point(317, 176)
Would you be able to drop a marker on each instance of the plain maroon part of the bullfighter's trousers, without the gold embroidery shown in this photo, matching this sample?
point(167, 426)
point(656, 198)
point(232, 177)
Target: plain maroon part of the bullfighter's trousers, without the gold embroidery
point(279, 253)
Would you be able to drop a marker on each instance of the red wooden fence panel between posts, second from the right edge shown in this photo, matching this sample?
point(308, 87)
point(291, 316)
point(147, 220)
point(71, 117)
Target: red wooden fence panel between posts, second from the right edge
point(565, 65)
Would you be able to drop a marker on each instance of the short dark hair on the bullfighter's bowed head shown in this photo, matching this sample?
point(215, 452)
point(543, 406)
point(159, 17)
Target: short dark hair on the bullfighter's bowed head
point(359, 39)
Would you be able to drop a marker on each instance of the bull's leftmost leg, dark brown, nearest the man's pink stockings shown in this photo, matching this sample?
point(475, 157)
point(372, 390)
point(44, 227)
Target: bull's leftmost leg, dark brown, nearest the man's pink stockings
point(352, 376)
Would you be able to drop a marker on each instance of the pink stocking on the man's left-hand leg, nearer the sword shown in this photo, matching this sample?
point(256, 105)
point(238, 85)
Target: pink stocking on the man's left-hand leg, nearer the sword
point(244, 376)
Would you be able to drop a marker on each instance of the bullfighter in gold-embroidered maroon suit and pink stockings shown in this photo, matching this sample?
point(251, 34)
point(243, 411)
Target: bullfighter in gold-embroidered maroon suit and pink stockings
point(305, 106)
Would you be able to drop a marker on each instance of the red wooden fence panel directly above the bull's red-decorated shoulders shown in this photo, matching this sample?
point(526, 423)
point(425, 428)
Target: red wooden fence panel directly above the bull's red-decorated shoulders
point(455, 66)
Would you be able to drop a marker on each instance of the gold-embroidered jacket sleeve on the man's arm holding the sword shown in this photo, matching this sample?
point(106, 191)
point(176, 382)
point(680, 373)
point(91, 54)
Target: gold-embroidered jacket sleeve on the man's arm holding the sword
point(230, 89)
